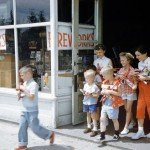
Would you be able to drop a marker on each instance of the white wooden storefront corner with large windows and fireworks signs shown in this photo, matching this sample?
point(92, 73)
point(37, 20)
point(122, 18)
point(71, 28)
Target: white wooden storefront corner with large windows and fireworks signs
point(30, 35)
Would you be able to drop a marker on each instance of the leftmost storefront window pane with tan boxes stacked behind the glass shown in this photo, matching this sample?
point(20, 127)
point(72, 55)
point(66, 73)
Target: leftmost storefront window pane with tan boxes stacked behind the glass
point(7, 59)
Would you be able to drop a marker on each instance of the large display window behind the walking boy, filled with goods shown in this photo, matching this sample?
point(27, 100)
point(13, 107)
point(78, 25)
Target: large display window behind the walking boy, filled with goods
point(33, 51)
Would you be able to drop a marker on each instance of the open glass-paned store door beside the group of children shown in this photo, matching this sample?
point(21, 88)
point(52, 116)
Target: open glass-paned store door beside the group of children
point(81, 57)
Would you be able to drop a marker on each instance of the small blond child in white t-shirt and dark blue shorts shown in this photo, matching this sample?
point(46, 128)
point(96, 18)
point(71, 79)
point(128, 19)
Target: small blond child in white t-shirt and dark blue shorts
point(91, 93)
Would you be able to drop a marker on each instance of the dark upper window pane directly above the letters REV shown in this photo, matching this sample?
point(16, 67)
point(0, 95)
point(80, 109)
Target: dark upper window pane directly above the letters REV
point(64, 10)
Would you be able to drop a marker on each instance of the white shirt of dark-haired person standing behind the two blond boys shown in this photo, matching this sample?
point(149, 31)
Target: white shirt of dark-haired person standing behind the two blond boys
point(102, 62)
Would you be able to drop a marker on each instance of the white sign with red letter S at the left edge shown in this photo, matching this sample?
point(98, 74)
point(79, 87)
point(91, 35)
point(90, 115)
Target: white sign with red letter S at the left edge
point(2, 40)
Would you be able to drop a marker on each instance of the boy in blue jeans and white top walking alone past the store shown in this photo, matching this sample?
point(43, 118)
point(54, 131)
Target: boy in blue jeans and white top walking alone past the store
point(28, 93)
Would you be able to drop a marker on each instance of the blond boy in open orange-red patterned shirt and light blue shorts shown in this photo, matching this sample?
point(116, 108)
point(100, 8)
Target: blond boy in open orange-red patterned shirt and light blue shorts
point(110, 102)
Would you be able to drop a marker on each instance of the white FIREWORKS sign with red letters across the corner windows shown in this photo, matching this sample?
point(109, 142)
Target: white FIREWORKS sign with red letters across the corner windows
point(86, 38)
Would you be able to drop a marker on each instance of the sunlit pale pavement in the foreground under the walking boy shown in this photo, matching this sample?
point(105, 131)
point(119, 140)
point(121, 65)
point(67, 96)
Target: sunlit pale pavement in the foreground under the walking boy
point(8, 140)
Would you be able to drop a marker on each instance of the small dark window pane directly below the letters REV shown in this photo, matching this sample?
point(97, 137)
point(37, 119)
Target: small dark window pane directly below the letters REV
point(65, 60)
